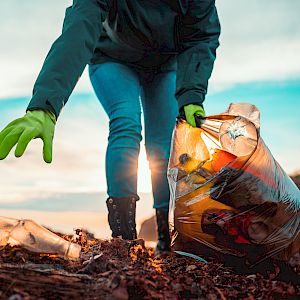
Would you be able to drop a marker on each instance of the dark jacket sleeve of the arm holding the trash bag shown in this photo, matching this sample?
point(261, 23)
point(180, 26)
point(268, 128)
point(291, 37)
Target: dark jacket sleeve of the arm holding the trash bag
point(198, 40)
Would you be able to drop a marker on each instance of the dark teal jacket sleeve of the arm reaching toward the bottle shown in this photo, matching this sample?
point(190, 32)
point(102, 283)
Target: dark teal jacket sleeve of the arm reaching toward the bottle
point(69, 55)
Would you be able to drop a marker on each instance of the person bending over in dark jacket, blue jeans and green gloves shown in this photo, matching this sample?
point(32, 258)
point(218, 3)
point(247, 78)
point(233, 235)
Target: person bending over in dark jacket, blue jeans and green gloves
point(151, 55)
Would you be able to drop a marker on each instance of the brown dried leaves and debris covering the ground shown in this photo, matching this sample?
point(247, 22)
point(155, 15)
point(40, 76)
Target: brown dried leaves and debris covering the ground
point(120, 269)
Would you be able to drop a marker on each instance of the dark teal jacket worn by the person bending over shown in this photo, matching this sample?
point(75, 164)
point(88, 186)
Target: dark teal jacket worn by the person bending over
point(146, 34)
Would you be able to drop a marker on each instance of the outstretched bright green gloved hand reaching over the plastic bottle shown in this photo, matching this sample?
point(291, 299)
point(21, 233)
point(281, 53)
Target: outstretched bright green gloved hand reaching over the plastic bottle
point(35, 124)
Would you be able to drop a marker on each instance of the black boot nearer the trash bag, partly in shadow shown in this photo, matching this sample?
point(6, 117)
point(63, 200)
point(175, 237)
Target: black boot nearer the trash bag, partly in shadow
point(164, 240)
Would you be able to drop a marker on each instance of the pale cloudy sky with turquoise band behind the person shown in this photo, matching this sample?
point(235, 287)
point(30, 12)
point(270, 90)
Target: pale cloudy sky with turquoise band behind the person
point(258, 61)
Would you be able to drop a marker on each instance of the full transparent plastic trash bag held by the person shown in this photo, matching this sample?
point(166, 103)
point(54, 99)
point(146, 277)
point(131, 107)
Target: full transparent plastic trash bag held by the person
point(229, 196)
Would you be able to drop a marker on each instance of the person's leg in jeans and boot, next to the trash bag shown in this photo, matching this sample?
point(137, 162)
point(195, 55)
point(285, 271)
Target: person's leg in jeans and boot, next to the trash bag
point(160, 112)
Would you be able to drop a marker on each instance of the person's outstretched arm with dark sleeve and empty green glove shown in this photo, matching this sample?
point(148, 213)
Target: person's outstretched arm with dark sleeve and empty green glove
point(62, 68)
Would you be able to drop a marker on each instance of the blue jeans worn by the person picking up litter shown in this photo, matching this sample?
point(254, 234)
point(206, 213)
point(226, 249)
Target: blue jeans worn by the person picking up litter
point(123, 92)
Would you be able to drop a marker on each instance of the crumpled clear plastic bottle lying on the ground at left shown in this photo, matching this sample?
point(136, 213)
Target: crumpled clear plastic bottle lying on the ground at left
point(36, 238)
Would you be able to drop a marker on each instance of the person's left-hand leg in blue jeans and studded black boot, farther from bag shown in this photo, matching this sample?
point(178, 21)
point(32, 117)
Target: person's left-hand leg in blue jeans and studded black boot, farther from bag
point(118, 89)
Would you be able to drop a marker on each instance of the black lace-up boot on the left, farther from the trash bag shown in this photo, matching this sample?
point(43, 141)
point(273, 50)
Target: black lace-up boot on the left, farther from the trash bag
point(121, 217)
